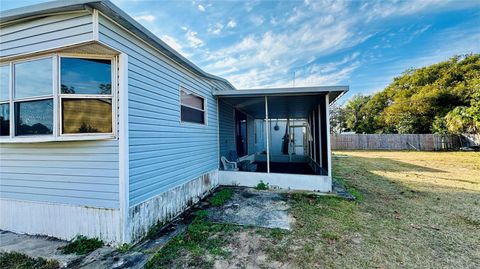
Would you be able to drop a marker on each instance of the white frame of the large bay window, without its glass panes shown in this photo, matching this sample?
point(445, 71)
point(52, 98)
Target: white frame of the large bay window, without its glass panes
point(57, 98)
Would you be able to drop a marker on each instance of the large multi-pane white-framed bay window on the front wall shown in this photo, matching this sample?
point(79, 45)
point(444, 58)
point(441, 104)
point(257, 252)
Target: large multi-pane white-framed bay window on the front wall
point(56, 96)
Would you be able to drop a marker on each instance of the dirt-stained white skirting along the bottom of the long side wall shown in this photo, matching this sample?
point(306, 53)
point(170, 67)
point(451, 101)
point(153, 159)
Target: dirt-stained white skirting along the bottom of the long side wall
point(163, 208)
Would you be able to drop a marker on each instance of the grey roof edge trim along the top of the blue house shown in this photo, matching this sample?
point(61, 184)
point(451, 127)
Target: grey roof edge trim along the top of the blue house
point(113, 12)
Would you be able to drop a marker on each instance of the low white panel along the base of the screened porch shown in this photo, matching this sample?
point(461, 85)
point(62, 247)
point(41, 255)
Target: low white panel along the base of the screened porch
point(283, 181)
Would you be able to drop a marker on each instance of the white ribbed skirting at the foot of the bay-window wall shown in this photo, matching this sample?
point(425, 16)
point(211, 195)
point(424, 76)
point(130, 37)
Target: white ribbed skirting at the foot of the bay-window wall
point(59, 220)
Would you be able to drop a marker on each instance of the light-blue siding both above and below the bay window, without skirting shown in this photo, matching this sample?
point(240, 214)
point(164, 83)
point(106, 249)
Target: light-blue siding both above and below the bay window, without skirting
point(77, 173)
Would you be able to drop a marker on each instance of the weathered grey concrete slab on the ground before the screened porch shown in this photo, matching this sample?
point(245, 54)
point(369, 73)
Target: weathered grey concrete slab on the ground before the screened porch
point(248, 206)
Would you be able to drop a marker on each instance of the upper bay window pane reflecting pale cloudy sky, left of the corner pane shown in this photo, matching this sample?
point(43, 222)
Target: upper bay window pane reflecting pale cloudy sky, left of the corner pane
point(33, 78)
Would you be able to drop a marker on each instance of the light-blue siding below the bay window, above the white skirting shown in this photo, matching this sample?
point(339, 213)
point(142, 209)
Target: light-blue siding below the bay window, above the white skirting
point(77, 173)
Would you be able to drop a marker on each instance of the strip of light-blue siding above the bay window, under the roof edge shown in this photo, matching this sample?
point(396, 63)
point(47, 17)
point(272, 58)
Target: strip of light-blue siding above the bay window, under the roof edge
point(45, 33)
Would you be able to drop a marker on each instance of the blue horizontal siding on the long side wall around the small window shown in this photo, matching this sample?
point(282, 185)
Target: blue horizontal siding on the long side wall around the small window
point(163, 152)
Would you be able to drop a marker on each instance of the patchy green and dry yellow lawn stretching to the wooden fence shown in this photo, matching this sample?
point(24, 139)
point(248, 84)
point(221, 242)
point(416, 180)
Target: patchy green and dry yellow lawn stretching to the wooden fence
point(415, 210)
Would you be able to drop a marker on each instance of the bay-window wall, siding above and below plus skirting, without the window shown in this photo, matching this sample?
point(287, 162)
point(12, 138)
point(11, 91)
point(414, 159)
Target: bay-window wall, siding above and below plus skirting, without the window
point(60, 189)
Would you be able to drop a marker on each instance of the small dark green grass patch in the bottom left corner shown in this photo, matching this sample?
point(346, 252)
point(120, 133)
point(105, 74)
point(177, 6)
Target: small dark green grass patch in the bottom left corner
point(14, 260)
